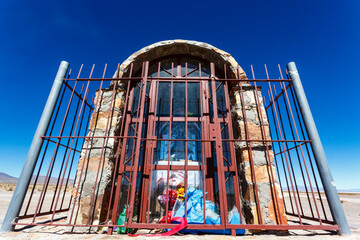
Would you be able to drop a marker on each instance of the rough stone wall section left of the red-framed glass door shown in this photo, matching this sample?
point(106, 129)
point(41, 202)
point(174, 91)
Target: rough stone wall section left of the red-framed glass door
point(98, 162)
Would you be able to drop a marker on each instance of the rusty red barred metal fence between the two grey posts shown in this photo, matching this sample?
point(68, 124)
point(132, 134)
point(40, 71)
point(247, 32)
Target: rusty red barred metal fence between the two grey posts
point(155, 141)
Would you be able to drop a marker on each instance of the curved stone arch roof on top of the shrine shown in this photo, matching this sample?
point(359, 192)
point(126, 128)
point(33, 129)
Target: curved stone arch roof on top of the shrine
point(179, 46)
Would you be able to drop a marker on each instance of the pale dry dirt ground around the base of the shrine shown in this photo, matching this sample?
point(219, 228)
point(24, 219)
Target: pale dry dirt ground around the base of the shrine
point(350, 202)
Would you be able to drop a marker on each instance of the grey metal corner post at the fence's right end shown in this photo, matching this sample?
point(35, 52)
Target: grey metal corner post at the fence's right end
point(319, 153)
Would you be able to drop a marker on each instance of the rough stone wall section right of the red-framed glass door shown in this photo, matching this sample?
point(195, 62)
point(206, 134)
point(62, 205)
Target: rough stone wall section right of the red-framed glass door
point(260, 157)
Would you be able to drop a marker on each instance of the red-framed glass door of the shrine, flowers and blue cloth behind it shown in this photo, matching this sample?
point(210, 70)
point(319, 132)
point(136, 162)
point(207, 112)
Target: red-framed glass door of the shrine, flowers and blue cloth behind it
point(177, 145)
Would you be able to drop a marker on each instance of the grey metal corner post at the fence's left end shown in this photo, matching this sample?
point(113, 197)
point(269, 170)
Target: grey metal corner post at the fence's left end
point(34, 151)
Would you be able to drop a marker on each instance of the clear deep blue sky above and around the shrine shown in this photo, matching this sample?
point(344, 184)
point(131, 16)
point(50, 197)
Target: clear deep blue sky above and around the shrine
point(322, 37)
